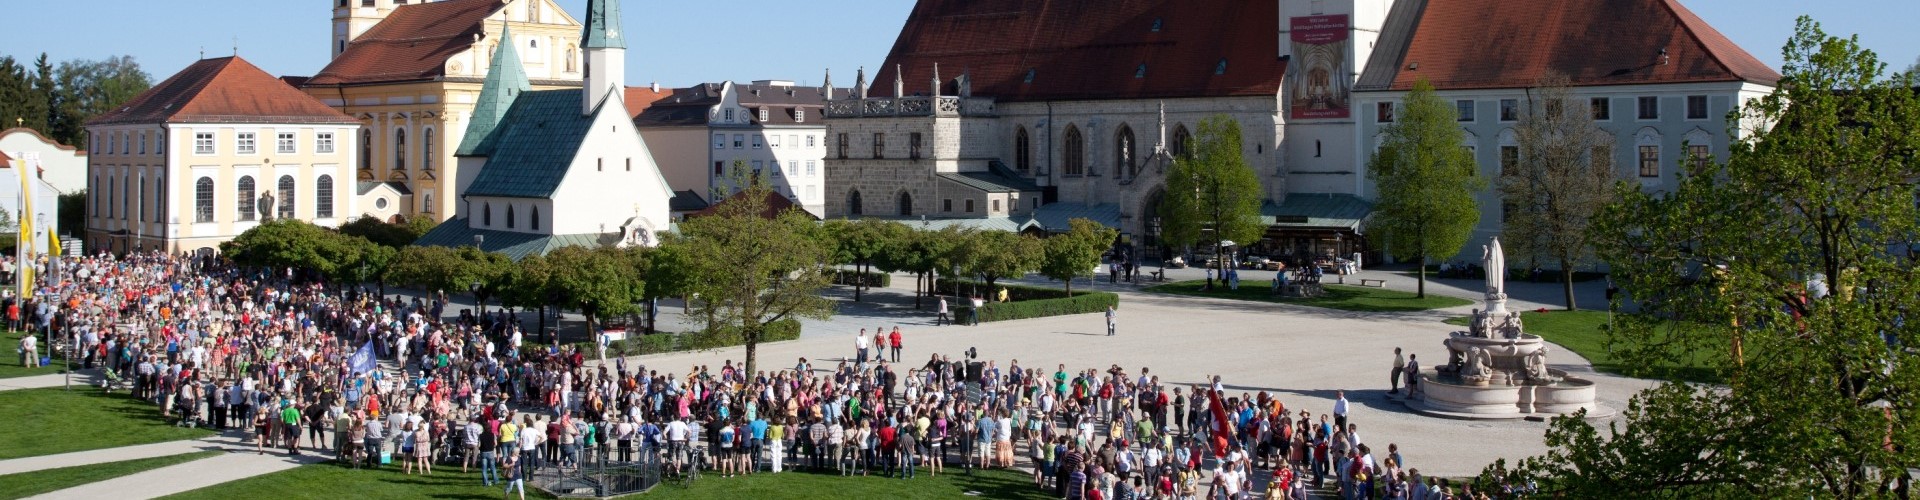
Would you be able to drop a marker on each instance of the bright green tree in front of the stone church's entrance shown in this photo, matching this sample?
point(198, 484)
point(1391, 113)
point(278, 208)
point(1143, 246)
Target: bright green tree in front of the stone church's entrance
point(1212, 195)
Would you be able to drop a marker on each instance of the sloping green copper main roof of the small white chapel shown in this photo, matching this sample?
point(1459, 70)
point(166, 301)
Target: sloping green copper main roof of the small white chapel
point(535, 145)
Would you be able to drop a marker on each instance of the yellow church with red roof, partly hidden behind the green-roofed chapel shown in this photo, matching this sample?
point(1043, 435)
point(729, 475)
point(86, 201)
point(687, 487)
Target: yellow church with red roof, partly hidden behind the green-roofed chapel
point(412, 72)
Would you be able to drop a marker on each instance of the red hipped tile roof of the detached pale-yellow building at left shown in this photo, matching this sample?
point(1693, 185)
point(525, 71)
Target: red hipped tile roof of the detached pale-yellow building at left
point(222, 91)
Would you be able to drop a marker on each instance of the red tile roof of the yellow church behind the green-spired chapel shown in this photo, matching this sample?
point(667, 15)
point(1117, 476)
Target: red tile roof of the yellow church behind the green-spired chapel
point(414, 43)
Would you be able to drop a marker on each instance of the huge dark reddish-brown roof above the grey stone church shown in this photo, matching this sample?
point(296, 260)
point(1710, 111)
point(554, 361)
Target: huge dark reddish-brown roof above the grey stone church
point(1090, 49)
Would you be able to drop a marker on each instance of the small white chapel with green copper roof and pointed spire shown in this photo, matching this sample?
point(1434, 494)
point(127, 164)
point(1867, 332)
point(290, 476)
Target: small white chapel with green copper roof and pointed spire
point(540, 170)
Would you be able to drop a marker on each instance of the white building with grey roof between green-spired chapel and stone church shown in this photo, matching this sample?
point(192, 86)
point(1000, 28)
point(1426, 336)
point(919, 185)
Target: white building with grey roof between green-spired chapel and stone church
point(773, 128)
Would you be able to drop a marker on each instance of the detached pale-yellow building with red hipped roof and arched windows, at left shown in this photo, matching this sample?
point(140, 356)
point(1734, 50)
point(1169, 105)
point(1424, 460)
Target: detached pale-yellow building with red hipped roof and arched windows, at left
point(208, 155)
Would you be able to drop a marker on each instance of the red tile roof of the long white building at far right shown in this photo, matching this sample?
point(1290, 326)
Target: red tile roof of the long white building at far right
point(1506, 45)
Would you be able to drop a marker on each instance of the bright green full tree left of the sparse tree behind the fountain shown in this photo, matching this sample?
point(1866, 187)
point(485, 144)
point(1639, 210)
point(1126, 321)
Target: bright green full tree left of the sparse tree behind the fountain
point(1426, 182)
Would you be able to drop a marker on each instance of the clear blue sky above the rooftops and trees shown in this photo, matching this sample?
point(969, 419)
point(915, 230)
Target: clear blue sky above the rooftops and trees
point(684, 43)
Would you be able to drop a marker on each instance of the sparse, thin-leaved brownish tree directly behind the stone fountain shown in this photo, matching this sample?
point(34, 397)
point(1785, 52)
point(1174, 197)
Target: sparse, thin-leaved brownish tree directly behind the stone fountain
point(1562, 180)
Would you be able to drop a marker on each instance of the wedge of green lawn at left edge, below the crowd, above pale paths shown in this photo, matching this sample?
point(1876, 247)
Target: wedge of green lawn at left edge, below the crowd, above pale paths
point(55, 422)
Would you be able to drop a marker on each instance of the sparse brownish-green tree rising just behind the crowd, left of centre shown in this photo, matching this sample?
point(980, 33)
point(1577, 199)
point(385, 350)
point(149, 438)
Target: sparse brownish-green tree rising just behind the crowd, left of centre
point(754, 270)
